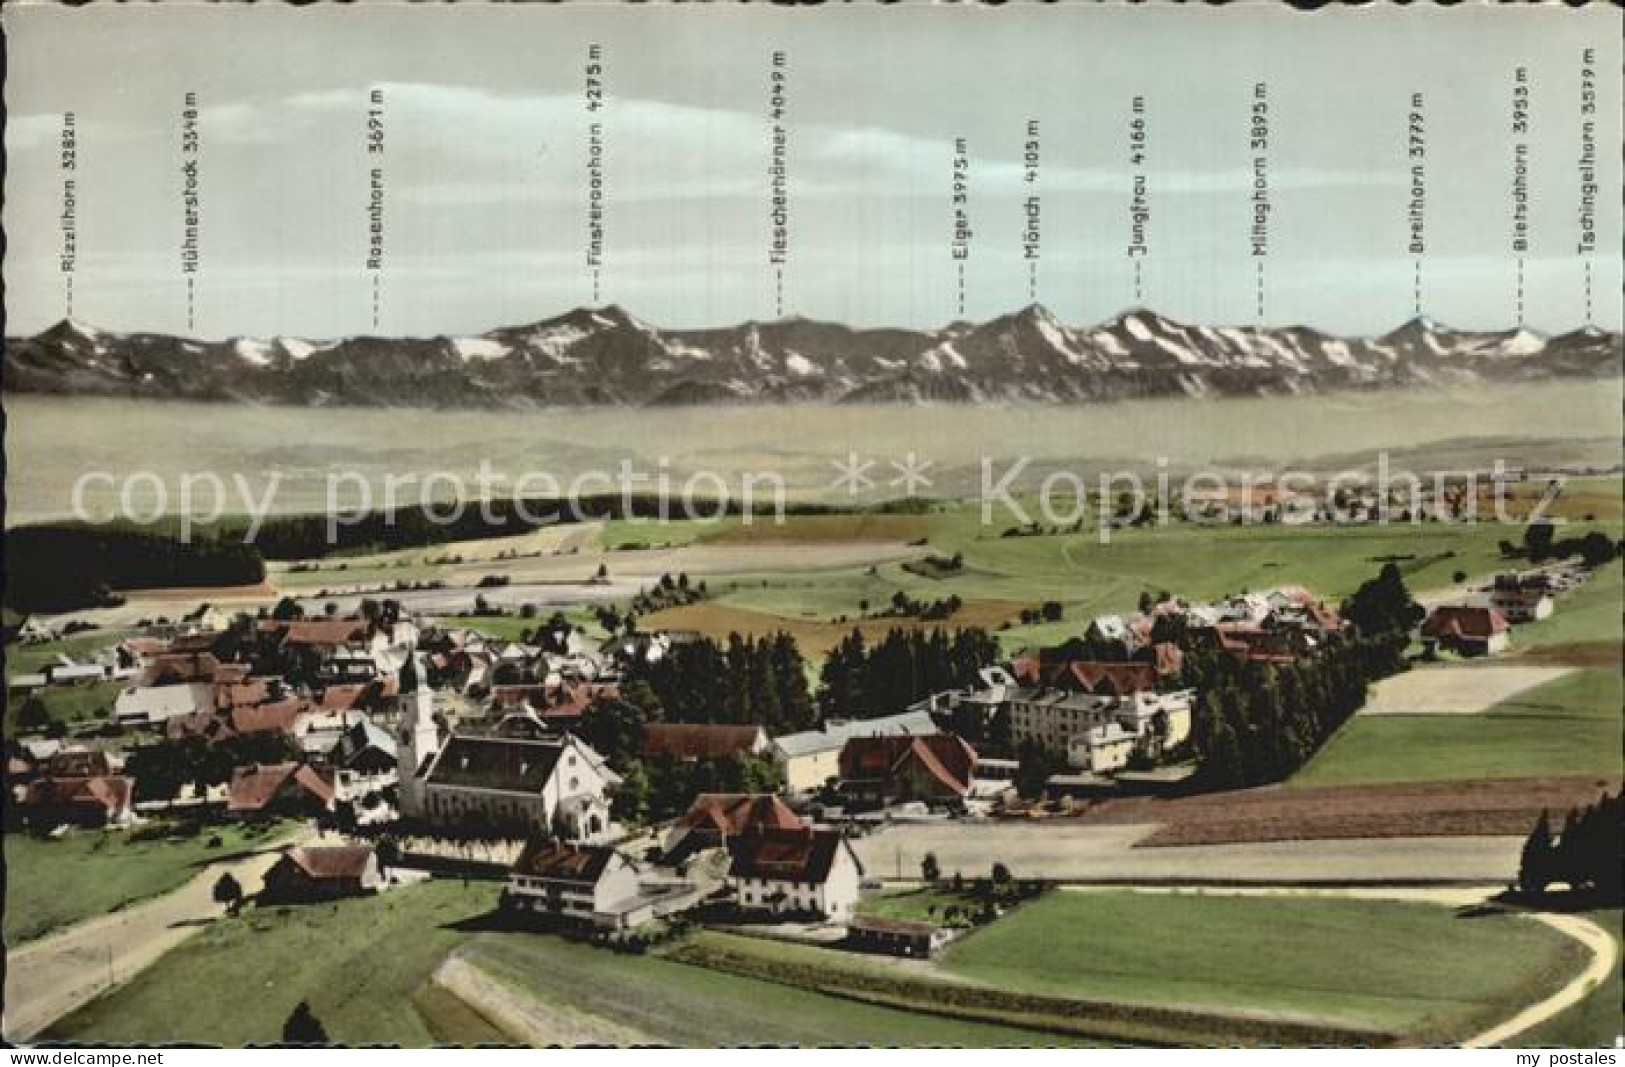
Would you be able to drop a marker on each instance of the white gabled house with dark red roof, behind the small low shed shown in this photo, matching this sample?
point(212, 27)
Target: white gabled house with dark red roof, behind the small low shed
point(786, 873)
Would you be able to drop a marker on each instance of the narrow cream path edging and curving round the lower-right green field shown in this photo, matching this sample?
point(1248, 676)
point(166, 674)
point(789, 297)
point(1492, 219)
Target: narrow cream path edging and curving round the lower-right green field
point(1605, 951)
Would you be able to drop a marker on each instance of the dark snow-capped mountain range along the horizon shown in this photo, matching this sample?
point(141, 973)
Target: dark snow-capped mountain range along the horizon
point(605, 356)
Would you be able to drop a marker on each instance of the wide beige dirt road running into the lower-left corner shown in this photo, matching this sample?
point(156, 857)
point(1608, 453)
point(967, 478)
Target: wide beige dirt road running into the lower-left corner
point(59, 974)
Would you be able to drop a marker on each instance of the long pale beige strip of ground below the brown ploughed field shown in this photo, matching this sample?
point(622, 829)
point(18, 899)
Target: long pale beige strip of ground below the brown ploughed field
point(1106, 852)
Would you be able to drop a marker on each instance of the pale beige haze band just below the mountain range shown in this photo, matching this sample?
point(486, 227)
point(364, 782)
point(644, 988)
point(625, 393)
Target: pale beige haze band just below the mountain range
point(53, 443)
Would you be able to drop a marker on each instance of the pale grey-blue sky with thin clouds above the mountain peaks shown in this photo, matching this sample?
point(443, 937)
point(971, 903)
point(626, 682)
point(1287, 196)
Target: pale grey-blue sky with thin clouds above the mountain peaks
point(487, 163)
